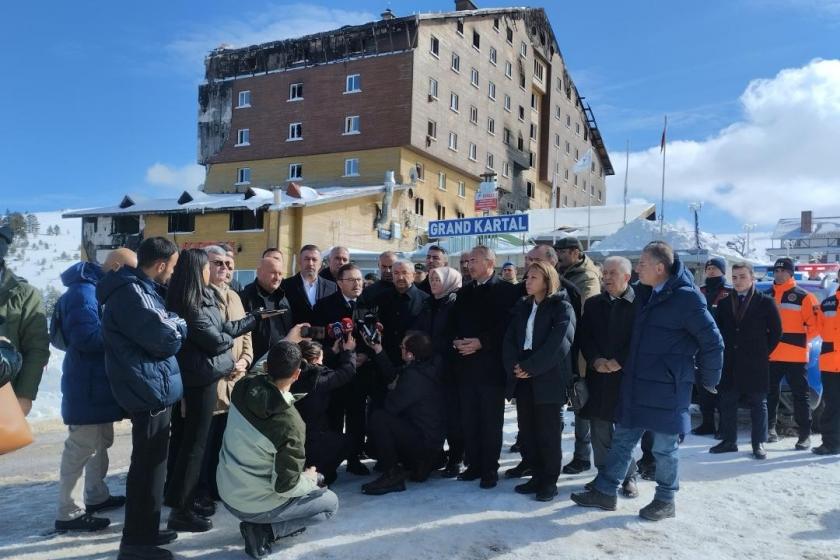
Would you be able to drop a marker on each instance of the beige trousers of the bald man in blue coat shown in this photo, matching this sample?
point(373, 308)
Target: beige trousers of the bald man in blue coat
point(85, 449)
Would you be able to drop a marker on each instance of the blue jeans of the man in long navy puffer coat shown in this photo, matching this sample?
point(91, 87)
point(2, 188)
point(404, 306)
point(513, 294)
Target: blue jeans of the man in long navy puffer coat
point(665, 450)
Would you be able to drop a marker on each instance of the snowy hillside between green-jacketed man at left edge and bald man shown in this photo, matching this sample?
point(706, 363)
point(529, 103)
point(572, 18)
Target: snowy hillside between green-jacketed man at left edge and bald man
point(41, 264)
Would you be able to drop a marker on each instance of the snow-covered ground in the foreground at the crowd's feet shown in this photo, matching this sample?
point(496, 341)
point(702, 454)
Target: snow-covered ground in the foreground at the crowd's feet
point(729, 506)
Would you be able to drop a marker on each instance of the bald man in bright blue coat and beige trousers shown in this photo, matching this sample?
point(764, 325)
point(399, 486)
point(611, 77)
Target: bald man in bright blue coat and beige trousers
point(88, 406)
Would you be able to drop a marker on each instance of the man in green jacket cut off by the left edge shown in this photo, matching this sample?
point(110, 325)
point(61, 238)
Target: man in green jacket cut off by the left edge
point(25, 326)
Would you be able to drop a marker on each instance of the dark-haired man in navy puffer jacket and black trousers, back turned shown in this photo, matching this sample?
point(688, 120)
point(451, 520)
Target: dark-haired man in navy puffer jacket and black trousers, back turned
point(141, 339)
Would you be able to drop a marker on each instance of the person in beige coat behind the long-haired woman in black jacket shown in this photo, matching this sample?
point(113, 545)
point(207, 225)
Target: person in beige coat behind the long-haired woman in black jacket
point(221, 270)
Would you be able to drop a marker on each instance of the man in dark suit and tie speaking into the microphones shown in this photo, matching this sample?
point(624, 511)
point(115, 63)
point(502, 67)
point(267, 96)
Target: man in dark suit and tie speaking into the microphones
point(347, 405)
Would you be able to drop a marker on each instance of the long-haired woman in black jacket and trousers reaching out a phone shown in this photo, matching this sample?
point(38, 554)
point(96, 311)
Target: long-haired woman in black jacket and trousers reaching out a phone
point(204, 358)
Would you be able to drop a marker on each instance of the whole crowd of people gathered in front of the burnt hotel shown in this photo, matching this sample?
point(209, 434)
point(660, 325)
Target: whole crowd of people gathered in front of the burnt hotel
point(254, 396)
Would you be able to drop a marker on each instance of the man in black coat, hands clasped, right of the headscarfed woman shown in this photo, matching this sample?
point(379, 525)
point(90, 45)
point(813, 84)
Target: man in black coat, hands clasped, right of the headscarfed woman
point(478, 322)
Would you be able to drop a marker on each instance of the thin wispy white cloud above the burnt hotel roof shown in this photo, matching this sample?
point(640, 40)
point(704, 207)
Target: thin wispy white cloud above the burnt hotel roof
point(274, 23)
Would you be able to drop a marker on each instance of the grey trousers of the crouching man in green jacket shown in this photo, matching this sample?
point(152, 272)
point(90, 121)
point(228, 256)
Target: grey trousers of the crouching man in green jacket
point(295, 514)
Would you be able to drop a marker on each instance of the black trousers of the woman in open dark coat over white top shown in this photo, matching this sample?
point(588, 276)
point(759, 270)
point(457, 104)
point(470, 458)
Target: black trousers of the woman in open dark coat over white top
point(540, 432)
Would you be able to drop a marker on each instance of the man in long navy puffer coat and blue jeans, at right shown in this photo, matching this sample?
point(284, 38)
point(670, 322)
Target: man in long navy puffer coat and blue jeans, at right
point(673, 333)
